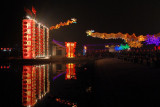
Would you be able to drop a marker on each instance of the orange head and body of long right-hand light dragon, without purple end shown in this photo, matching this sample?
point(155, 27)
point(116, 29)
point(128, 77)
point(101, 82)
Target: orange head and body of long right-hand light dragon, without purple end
point(132, 40)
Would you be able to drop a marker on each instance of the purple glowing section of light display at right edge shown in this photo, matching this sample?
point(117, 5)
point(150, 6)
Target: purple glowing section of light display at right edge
point(151, 39)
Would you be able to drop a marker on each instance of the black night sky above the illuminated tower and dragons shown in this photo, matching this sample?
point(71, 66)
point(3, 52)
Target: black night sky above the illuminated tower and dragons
point(110, 16)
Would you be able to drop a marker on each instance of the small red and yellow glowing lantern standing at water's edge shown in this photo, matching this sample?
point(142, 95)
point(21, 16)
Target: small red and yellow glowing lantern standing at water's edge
point(70, 49)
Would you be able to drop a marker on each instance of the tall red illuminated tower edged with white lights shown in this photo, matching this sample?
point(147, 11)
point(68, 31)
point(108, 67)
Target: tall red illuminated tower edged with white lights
point(35, 40)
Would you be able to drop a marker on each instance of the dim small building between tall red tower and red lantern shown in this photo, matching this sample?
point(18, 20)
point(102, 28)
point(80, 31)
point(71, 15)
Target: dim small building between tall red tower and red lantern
point(58, 49)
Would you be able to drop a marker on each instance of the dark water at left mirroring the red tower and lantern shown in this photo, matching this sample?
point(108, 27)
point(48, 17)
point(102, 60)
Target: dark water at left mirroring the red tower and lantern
point(44, 85)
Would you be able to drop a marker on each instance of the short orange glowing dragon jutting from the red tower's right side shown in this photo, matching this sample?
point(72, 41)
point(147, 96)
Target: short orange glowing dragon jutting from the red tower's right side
point(73, 20)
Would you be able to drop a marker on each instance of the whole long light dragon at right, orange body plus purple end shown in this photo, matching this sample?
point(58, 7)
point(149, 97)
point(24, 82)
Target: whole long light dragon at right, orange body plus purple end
point(132, 40)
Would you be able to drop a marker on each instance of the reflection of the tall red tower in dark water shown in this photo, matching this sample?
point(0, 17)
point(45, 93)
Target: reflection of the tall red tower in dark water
point(35, 83)
